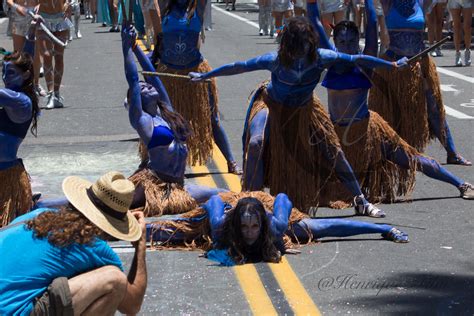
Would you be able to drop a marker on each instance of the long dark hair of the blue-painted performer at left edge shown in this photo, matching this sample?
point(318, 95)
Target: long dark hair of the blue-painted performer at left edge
point(24, 62)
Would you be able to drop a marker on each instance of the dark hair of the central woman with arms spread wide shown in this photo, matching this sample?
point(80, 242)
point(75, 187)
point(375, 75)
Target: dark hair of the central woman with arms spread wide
point(298, 39)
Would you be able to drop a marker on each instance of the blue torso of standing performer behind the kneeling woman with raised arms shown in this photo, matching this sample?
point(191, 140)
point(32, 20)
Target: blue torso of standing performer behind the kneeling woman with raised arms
point(180, 44)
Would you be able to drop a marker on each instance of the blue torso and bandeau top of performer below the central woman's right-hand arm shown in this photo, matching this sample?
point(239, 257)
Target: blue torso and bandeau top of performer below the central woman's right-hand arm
point(348, 90)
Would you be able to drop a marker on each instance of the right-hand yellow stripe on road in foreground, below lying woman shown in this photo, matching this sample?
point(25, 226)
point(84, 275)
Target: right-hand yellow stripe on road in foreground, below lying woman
point(295, 293)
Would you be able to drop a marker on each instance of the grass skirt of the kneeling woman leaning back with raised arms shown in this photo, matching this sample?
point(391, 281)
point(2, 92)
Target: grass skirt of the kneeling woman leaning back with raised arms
point(162, 198)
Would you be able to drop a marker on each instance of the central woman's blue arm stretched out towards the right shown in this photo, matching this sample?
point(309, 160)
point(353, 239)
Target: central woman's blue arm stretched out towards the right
point(328, 58)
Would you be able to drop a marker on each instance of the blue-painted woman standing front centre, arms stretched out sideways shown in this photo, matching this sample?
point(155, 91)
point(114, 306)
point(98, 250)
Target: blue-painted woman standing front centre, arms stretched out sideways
point(289, 142)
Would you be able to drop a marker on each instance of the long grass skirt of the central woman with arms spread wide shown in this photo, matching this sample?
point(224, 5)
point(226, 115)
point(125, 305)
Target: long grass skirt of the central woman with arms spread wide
point(292, 158)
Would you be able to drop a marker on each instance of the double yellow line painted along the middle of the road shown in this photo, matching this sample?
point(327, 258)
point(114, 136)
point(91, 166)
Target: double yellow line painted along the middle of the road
point(247, 275)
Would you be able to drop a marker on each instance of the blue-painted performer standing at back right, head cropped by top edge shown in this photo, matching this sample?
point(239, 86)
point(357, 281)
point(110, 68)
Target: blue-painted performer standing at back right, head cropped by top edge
point(410, 100)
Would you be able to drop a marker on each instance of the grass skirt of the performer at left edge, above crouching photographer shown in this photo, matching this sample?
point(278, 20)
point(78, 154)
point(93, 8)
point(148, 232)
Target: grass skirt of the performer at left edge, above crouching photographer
point(15, 193)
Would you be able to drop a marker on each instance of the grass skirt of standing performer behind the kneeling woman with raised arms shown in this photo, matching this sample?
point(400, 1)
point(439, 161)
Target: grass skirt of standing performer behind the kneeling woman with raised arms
point(192, 101)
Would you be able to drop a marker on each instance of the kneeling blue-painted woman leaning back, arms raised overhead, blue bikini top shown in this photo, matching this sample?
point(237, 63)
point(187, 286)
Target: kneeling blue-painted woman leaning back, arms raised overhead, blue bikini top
point(160, 182)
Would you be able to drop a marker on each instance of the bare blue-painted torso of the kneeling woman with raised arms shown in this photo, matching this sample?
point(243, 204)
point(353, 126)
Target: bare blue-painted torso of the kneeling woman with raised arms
point(167, 160)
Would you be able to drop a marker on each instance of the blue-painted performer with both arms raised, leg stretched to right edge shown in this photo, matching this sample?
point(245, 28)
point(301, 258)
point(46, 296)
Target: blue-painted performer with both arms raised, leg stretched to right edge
point(384, 163)
